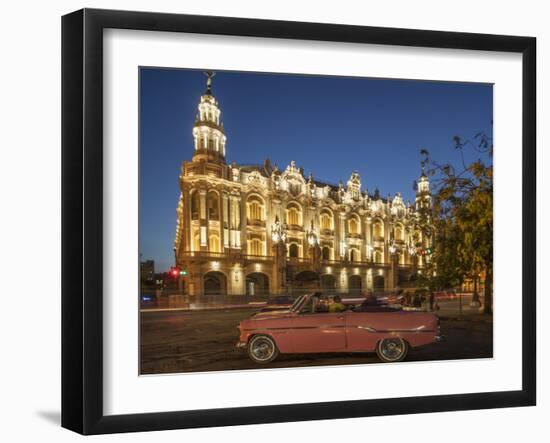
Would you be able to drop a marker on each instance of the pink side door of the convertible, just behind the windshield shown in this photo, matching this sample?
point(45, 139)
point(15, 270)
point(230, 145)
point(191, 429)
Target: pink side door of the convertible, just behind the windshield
point(318, 332)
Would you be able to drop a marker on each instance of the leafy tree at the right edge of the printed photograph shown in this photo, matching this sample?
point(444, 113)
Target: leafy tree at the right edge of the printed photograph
point(462, 218)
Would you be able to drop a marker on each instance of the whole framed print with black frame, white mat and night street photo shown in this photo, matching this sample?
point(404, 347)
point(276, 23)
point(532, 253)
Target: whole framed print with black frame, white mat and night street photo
point(270, 221)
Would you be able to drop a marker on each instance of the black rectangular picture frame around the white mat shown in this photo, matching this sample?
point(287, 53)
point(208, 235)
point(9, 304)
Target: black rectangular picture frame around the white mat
point(82, 218)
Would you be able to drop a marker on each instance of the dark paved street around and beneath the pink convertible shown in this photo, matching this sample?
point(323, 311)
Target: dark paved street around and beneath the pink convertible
point(194, 341)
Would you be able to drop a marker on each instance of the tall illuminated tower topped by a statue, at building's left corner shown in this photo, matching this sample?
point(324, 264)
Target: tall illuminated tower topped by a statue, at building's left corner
point(208, 131)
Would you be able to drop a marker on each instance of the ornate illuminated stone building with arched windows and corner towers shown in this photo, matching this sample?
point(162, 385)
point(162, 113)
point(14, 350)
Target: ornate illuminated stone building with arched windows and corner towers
point(257, 229)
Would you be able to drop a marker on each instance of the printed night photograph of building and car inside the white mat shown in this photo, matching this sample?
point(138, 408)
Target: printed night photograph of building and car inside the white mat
point(293, 220)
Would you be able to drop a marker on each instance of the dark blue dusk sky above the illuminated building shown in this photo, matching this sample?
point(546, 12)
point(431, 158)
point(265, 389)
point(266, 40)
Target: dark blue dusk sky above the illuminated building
point(330, 126)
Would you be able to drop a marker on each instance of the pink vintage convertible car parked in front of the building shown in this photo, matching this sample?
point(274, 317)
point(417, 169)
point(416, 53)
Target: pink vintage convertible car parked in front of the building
point(303, 329)
